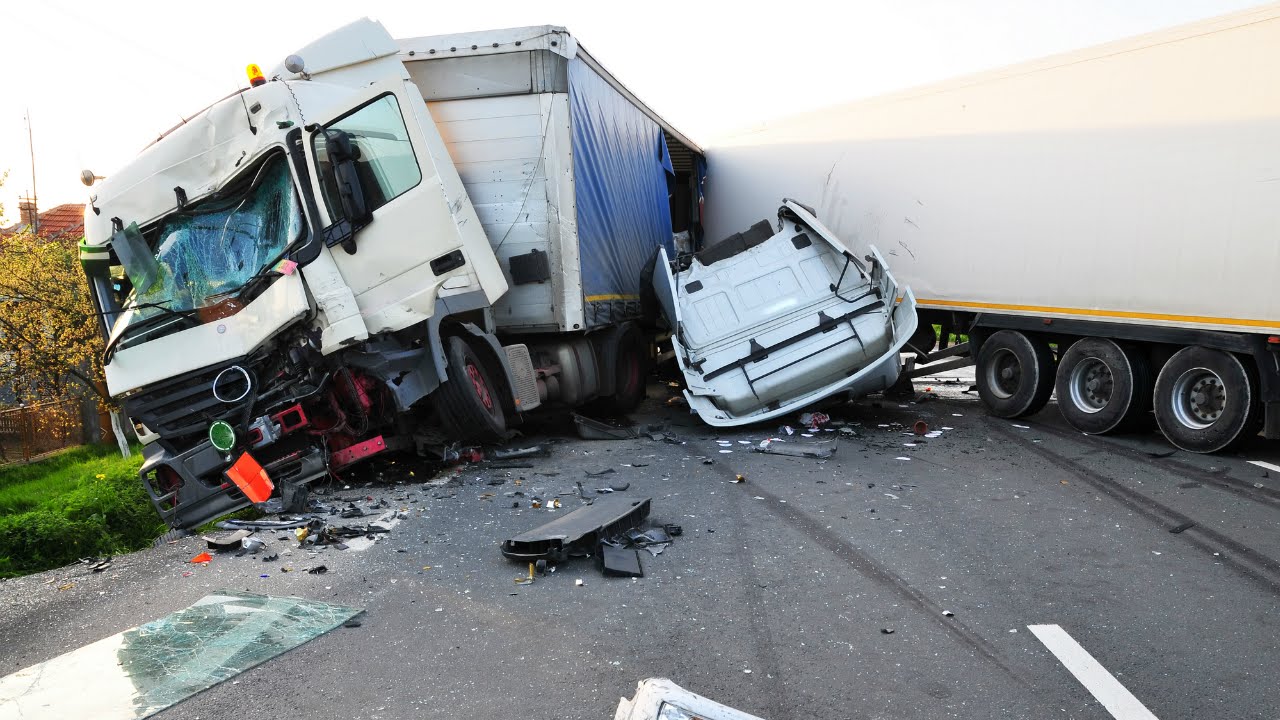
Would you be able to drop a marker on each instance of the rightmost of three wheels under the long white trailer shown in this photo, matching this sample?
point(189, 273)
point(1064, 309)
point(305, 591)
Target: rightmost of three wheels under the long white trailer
point(1206, 400)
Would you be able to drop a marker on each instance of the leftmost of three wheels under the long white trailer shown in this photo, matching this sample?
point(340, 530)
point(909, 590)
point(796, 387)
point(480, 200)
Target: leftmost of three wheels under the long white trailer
point(1016, 375)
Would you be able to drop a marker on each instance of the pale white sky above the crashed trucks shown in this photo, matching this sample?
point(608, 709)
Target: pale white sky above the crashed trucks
point(103, 80)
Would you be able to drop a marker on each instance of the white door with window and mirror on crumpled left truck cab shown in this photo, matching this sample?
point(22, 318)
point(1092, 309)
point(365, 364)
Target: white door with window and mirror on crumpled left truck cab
point(401, 229)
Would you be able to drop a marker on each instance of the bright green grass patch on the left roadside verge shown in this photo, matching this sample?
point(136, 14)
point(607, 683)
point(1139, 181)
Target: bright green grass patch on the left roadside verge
point(86, 502)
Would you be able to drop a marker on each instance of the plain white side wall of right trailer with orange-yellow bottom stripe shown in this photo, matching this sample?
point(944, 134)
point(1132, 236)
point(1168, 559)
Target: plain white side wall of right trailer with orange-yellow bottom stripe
point(1135, 183)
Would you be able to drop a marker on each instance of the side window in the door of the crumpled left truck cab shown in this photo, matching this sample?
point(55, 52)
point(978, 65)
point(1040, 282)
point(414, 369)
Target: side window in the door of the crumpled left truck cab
point(385, 158)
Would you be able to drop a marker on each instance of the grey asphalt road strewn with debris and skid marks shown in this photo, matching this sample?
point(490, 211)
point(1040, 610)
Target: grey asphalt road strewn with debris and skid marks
point(778, 598)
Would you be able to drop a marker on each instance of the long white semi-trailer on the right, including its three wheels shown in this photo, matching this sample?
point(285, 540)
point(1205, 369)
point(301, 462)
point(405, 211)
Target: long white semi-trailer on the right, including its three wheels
point(1105, 222)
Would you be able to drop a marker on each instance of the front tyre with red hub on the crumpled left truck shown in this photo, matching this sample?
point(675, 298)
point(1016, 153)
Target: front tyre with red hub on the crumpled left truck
point(468, 402)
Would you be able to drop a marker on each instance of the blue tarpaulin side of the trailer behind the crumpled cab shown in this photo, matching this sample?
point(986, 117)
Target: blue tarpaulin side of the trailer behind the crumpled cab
point(621, 165)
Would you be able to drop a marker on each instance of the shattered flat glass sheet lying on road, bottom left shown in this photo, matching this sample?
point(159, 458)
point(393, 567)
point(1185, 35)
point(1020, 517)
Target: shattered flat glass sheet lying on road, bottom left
point(147, 669)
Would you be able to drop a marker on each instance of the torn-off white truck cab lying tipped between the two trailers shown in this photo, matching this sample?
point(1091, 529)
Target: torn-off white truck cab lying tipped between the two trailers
point(766, 323)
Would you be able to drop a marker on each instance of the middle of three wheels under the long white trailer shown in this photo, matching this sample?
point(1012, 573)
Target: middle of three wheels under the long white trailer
point(1103, 388)
